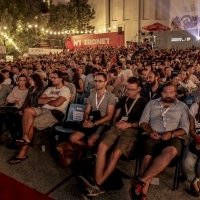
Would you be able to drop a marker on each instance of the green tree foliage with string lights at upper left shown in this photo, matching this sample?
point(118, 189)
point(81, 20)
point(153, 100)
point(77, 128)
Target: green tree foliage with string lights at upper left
point(24, 21)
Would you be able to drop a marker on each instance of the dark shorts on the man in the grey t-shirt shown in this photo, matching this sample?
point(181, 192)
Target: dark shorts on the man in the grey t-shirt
point(98, 130)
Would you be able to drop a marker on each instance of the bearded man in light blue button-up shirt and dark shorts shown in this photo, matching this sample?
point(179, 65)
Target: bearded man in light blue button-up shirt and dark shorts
point(165, 120)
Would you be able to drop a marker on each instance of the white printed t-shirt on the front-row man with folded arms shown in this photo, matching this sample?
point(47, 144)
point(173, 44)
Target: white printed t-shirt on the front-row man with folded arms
point(53, 92)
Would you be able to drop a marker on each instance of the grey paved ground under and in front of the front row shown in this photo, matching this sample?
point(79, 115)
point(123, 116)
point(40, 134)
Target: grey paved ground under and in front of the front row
point(41, 172)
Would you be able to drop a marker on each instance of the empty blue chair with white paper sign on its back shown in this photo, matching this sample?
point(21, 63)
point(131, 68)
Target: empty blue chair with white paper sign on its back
point(75, 114)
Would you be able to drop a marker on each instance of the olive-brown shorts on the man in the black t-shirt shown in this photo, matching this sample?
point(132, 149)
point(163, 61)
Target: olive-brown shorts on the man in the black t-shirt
point(124, 140)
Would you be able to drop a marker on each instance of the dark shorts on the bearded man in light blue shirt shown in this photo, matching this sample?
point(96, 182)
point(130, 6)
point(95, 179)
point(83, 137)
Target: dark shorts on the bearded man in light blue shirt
point(155, 147)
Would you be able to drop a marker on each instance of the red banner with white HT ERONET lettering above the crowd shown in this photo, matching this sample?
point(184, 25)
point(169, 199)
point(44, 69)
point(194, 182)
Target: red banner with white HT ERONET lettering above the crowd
point(94, 40)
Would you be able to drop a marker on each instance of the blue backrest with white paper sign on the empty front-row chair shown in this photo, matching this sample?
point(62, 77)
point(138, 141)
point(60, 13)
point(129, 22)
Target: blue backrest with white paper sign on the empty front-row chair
point(75, 112)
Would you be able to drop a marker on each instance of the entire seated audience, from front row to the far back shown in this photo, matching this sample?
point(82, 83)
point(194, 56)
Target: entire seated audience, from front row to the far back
point(132, 95)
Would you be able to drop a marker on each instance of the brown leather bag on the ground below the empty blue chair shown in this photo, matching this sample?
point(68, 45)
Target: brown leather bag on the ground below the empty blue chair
point(68, 153)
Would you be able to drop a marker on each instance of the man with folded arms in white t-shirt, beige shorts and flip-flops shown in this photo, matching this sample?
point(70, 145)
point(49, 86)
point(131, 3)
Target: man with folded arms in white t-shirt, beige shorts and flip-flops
point(55, 101)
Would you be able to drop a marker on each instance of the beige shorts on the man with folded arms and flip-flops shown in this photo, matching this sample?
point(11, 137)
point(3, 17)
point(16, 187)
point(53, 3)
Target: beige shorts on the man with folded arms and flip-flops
point(43, 119)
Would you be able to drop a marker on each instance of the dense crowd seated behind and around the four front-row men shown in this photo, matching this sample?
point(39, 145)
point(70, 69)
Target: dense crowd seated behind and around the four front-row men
point(24, 80)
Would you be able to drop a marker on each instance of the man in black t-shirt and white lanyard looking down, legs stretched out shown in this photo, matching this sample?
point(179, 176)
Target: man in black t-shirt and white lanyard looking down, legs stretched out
point(122, 135)
